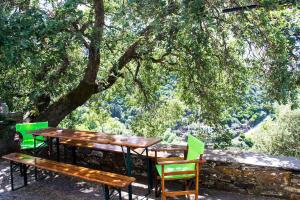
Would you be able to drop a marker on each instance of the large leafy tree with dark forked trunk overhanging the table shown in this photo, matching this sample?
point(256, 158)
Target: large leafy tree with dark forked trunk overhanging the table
point(55, 55)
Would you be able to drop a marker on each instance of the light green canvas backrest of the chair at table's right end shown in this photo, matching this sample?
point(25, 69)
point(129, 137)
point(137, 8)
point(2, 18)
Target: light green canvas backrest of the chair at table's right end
point(195, 148)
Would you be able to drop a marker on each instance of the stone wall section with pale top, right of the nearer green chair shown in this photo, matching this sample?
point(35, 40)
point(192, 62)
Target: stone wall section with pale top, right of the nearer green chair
point(252, 173)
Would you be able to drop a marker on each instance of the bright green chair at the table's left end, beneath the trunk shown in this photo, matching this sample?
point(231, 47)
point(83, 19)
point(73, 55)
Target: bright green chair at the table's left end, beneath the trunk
point(27, 141)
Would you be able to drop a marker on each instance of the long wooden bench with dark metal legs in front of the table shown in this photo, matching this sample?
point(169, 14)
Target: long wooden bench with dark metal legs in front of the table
point(105, 178)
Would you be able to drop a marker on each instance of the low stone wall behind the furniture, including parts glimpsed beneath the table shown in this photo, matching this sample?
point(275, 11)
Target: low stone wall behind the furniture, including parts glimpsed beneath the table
point(249, 173)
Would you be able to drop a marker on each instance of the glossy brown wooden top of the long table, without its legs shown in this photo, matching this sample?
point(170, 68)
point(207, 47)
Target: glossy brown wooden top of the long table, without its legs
point(97, 137)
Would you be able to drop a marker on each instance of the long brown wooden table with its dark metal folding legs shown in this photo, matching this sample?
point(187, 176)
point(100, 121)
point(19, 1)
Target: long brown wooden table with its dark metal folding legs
point(129, 142)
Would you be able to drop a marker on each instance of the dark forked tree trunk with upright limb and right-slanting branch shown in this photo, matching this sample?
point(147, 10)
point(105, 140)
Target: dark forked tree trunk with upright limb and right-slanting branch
point(57, 111)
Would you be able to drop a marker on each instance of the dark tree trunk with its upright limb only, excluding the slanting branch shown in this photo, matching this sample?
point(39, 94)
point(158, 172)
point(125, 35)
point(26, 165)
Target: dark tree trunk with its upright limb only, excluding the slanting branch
point(57, 111)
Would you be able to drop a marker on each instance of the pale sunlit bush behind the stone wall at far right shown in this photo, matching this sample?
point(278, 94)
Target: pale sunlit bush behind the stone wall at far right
point(279, 135)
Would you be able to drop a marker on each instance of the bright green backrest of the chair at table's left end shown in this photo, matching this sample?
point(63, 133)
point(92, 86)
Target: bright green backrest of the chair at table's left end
point(25, 127)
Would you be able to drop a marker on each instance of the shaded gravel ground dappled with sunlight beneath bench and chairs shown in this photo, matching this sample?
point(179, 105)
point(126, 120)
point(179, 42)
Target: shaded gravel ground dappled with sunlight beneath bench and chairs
point(57, 187)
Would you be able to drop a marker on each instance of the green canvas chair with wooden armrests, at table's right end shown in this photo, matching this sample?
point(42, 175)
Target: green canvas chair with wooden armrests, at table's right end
point(169, 169)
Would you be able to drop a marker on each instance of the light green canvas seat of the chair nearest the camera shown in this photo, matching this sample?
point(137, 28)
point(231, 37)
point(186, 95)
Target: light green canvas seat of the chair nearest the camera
point(177, 168)
